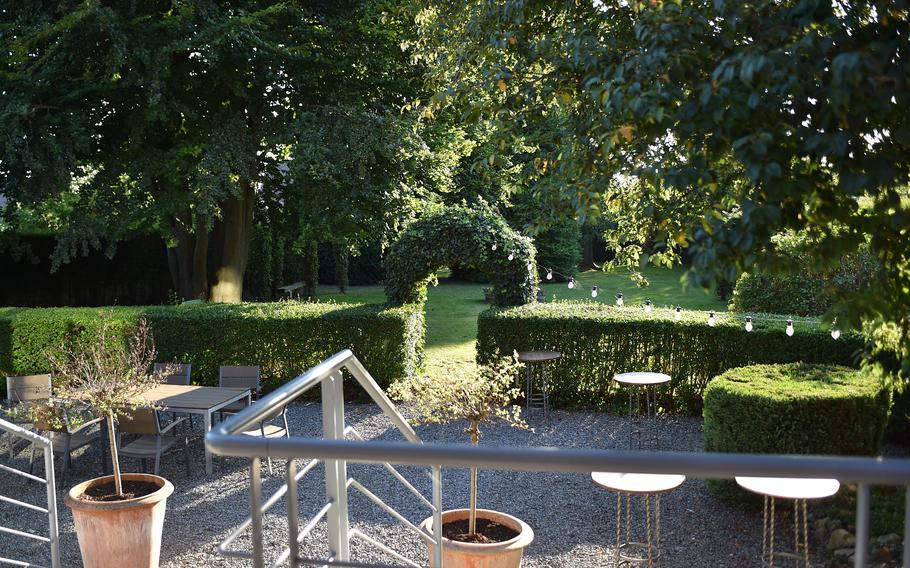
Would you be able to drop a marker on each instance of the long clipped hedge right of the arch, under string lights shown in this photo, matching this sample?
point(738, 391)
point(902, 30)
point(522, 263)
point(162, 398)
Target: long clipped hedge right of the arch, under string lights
point(599, 340)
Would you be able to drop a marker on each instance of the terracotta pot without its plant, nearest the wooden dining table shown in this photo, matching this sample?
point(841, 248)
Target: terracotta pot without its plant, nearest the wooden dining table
point(120, 534)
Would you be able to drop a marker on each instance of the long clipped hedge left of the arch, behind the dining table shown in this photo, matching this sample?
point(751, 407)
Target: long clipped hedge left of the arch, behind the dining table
point(284, 338)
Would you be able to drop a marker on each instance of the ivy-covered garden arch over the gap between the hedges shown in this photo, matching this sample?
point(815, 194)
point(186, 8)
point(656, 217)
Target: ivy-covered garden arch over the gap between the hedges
point(459, 235)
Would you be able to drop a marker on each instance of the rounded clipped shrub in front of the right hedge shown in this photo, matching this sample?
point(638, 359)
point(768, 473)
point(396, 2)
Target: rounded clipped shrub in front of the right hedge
point(793, 409)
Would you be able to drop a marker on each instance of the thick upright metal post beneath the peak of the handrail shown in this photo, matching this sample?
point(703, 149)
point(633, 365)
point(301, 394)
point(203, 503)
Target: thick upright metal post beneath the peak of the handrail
point(336, 474)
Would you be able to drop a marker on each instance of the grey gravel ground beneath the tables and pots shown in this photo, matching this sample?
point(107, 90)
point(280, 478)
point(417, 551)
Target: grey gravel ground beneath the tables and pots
point(573, 520)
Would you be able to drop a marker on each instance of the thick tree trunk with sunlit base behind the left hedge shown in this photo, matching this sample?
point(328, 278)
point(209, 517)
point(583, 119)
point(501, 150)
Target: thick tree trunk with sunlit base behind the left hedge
point(231, 246)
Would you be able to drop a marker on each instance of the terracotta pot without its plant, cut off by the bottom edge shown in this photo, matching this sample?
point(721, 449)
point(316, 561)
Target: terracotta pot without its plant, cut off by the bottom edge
point(505, 554)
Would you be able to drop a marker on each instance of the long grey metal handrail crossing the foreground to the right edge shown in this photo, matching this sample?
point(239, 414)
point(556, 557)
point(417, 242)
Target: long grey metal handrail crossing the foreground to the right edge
point(864, 471)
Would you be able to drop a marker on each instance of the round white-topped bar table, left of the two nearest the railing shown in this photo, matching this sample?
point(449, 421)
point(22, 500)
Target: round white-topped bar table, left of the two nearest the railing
point(639, 552)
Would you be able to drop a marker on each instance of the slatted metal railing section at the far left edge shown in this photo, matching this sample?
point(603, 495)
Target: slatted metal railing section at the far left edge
point(53, 537)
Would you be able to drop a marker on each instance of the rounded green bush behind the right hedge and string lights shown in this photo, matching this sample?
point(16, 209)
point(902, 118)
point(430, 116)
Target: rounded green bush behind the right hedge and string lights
point(802, 290)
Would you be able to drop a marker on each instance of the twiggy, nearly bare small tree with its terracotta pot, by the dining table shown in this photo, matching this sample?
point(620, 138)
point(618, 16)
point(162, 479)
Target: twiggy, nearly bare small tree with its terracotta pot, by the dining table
point(118, 518)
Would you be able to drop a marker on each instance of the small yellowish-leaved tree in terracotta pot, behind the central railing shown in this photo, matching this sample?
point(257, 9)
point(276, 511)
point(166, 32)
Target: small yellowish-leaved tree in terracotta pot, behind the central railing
point(472, 537)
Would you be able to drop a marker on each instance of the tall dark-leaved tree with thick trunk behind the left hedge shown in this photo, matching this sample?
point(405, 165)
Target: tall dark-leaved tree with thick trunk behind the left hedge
point(171, 116)
